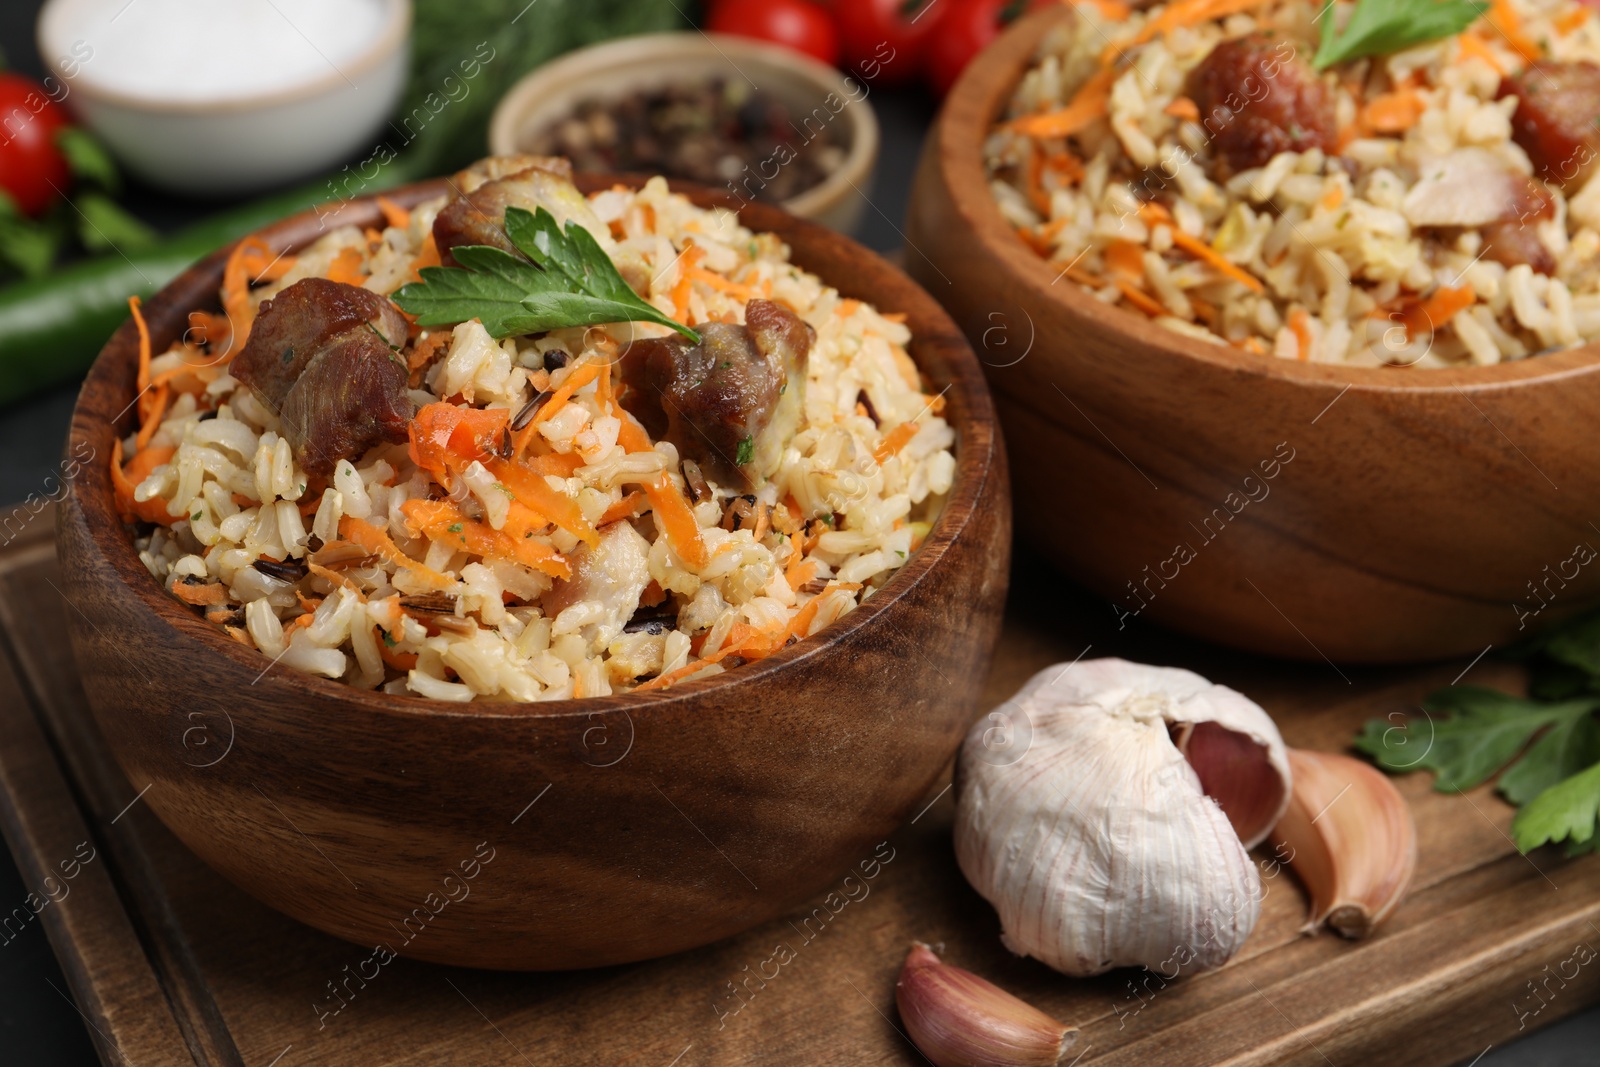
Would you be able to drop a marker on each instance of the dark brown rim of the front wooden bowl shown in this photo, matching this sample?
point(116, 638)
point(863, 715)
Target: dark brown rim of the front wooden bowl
point(100, 410)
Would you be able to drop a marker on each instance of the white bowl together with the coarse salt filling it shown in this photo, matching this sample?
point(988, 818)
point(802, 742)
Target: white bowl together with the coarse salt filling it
point(228, 97)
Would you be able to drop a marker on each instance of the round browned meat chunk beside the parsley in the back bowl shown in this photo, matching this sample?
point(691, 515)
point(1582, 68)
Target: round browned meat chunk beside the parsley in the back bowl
point(1258, 98)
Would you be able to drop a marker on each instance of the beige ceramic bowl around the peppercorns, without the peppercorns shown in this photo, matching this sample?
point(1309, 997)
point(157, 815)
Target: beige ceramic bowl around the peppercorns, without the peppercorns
point(622, 68)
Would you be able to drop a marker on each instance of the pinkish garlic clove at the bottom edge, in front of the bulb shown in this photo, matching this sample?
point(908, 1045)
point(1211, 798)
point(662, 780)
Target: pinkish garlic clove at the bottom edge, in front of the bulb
point(959, 1020)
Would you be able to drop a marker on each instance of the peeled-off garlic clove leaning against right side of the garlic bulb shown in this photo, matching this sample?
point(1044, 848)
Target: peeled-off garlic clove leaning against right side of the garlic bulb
point(1351, 839)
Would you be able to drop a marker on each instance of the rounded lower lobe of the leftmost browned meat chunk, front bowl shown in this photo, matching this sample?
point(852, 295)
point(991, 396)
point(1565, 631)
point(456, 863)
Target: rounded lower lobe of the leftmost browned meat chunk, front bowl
point(351, 396)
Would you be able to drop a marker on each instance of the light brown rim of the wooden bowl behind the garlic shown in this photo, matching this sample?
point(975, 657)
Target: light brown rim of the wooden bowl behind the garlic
point(964, 127)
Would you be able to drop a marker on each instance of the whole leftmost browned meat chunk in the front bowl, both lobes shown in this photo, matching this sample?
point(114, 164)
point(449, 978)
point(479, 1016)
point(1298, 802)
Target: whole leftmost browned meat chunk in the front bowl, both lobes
point(322, 354)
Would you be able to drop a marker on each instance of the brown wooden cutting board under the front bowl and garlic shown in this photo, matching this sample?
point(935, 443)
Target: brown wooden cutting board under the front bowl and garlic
point(174, 965)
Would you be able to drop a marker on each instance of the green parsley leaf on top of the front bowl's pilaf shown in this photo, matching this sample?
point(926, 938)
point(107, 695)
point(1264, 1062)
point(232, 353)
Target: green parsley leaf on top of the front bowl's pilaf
point(572, 282)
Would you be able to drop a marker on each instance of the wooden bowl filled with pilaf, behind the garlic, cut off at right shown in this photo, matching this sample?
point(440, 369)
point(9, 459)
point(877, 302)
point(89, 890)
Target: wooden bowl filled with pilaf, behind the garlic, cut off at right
point(1402, 503)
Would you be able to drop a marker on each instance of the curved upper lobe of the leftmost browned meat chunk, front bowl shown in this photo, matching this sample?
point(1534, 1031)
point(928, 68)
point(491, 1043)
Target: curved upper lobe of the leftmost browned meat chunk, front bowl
point(298, 322)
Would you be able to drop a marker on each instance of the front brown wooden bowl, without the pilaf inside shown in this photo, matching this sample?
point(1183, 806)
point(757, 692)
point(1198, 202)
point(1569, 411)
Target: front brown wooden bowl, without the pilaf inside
point(663, 820)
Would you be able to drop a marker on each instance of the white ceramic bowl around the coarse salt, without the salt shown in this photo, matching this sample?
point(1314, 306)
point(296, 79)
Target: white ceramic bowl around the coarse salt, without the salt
point(230, 146)
